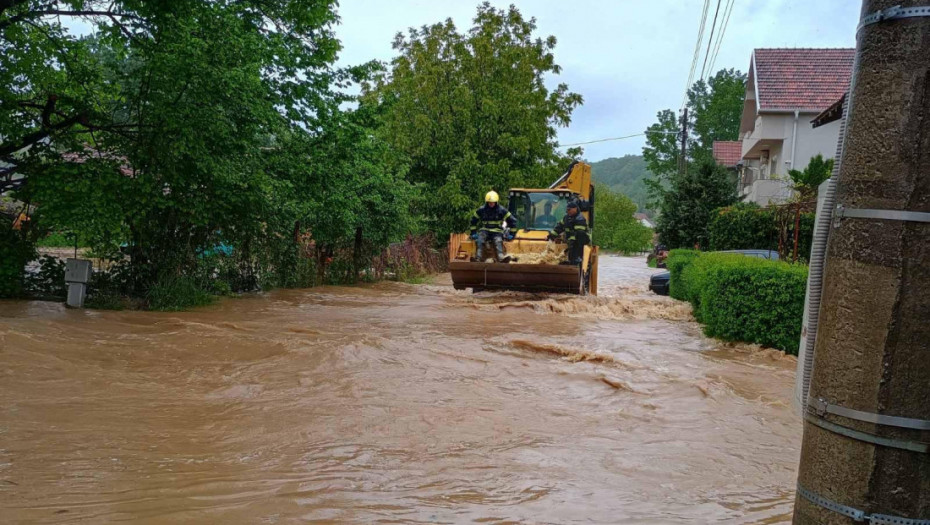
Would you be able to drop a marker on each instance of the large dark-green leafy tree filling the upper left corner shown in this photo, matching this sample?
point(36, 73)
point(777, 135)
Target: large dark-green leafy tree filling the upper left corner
point(160, 126)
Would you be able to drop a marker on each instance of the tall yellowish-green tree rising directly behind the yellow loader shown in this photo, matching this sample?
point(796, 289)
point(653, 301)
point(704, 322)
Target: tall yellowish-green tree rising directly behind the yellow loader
point(472, 111)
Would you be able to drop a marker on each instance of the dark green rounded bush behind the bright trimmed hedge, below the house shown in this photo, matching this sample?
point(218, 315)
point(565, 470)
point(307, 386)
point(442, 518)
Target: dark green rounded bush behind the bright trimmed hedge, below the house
point(743, 226)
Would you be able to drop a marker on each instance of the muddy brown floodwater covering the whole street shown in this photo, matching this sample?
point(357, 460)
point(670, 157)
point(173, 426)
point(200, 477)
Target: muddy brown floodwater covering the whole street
point(393, 403)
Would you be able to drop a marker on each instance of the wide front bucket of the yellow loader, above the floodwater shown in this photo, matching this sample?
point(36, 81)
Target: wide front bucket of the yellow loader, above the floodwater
point(520, 277)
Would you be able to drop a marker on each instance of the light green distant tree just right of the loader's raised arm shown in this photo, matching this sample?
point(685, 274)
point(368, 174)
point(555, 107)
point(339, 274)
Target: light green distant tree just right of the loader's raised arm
point(615, 227)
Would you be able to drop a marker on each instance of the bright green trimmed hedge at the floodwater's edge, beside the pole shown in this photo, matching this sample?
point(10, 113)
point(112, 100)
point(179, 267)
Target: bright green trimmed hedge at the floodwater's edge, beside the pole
point(740, 298)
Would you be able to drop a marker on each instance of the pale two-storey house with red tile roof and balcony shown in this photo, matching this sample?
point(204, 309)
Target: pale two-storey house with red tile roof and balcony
point(786, 90)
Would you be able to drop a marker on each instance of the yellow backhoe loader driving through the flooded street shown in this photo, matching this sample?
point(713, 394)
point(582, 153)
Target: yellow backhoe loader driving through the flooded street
point(536, 211)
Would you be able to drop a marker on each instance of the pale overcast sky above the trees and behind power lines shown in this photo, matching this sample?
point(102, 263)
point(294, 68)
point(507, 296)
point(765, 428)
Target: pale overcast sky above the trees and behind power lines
point(627, 58)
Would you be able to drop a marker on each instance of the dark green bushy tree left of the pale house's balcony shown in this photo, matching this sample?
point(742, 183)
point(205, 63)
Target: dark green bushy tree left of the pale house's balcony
point(687, 205)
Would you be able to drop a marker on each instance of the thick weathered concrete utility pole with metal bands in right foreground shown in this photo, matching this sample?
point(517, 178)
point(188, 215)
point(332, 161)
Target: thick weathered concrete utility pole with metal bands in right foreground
point(866, 450)
